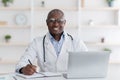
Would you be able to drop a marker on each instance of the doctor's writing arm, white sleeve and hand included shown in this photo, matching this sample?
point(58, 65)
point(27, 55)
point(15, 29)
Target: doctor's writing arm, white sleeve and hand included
point(23, 65)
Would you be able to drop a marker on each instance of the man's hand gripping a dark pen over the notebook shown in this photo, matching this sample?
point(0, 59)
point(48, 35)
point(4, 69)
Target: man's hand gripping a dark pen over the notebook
point(29, 69)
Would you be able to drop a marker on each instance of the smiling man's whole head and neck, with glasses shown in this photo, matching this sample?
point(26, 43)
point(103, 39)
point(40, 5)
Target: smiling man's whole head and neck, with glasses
point(56, 23)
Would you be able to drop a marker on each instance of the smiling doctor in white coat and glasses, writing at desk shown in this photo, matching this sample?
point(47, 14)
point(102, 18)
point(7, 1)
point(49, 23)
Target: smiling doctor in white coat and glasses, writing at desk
point(51, 50)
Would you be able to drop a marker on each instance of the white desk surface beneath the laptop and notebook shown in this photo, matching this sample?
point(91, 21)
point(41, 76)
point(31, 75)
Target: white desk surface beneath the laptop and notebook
point(113, 74)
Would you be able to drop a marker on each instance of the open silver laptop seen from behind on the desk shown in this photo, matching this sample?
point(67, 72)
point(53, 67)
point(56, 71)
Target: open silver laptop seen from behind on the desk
point(91, 64)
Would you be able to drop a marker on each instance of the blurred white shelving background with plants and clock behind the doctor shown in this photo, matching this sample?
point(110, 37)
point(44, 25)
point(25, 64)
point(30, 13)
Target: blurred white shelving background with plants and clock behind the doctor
point(96, 22)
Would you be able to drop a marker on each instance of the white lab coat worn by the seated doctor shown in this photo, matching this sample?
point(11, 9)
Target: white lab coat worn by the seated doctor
point(53, 62)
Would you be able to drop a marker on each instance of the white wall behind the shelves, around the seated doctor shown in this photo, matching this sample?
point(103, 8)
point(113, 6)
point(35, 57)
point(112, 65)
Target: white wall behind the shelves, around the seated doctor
point(76, 20)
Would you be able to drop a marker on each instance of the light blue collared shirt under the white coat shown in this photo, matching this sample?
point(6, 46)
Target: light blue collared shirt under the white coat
point(57, 44)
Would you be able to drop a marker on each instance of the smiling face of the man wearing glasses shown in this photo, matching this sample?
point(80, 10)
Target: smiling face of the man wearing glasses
point(56, 23)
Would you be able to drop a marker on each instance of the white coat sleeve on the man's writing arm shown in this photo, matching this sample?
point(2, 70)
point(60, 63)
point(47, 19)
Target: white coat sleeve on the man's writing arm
point(30, 53)
